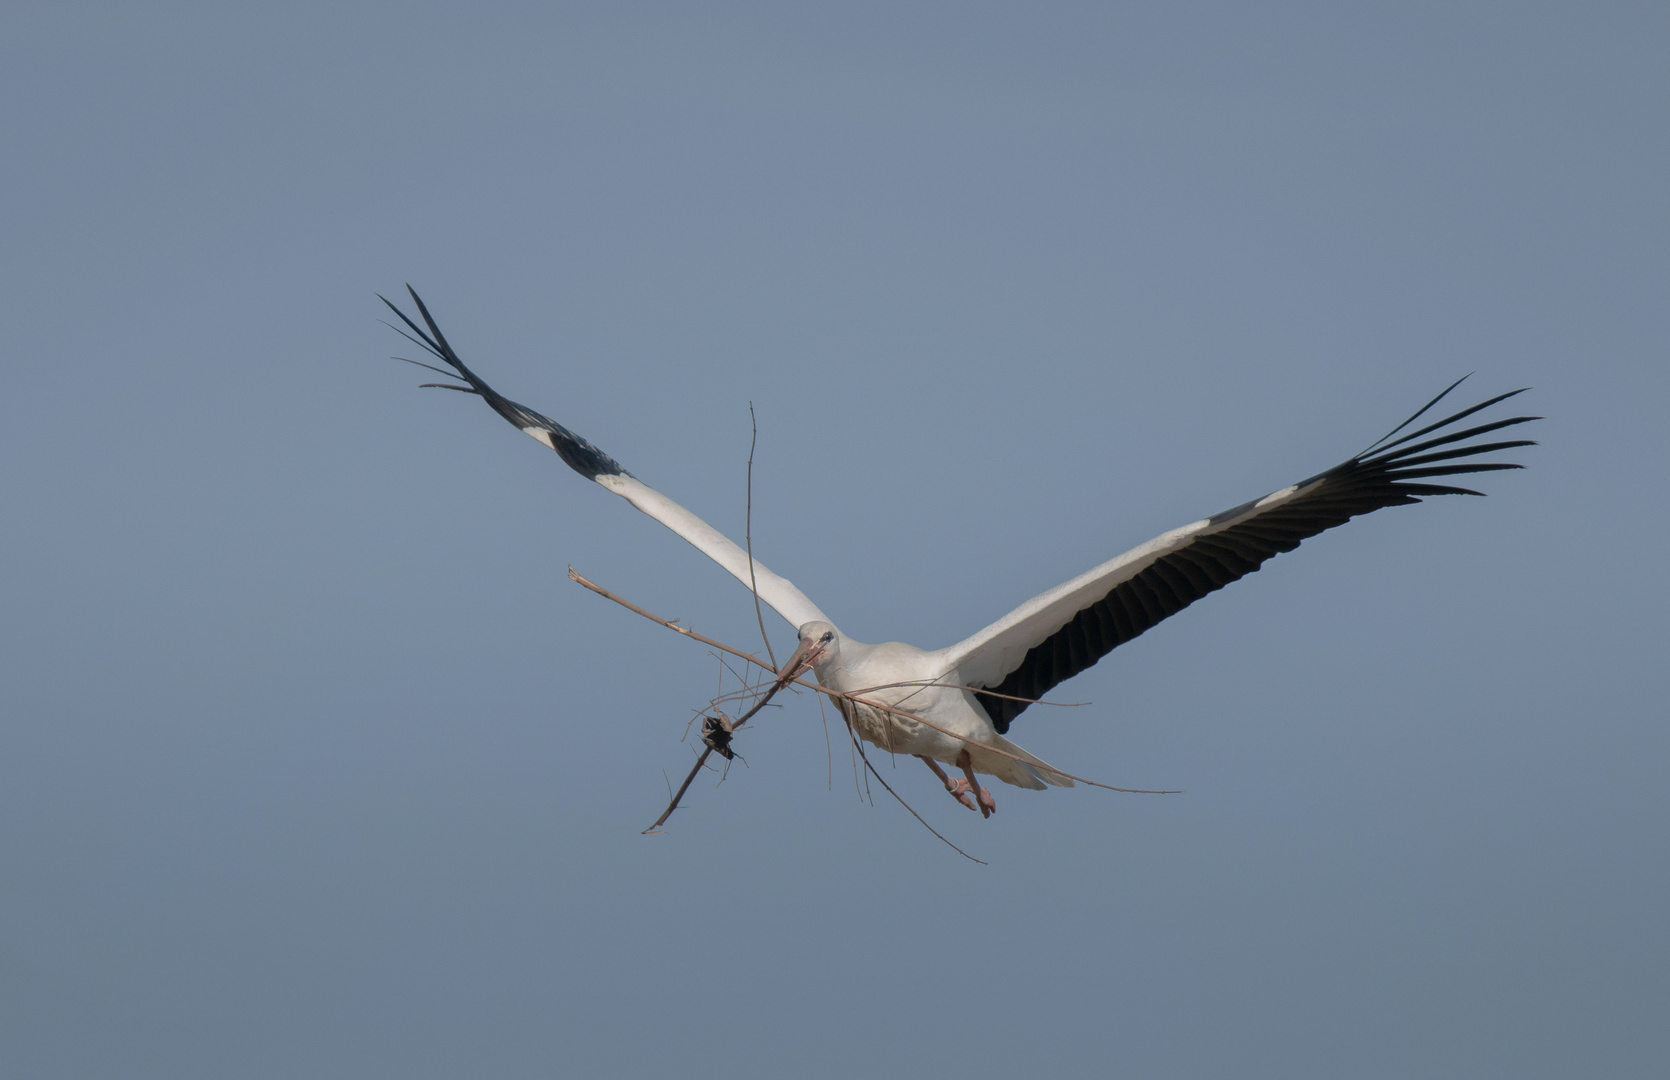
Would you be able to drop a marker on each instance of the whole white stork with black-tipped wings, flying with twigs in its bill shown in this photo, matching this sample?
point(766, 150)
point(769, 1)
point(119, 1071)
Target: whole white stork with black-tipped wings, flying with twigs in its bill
point(973, 692)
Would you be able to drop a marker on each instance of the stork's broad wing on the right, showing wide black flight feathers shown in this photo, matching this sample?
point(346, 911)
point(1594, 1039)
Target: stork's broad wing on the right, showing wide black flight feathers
point(1060, 633)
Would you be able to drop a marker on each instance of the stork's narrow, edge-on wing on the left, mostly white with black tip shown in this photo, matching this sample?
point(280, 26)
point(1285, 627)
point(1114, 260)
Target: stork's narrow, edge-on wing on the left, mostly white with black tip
point(594, 465)
